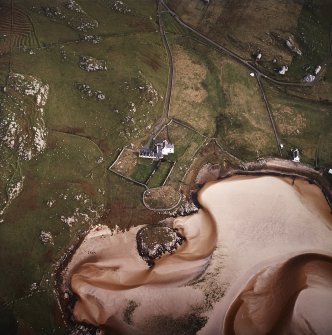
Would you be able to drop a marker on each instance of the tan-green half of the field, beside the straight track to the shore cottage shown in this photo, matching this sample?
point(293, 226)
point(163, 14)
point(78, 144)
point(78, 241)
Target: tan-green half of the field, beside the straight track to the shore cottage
point(243, 127)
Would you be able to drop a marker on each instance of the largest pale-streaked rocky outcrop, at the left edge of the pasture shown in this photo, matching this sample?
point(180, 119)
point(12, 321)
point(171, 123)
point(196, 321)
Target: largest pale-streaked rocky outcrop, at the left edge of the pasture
point(22, 127)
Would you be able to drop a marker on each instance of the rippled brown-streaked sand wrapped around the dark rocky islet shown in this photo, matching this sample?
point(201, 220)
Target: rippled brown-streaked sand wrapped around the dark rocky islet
point(107, 273)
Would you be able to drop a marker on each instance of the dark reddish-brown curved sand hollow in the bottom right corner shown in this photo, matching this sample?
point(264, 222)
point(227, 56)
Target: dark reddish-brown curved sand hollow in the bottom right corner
point(293, 297)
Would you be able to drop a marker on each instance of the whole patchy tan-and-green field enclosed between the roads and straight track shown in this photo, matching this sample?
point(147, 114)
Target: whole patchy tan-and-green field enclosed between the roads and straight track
point(220, 99)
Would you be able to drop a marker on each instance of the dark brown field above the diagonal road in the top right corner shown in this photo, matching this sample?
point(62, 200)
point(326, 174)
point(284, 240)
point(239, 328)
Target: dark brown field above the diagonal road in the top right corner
point(265, 26)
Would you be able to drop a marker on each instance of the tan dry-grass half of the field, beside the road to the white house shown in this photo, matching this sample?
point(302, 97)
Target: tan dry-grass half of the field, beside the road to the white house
point(195, 98)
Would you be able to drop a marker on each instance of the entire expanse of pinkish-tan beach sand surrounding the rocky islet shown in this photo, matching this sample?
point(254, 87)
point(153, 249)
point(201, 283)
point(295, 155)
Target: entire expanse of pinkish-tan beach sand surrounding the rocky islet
point(245, 225)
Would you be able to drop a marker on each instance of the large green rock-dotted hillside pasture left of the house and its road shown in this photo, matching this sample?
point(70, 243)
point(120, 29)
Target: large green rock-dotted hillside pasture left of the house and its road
point(81, 131)
